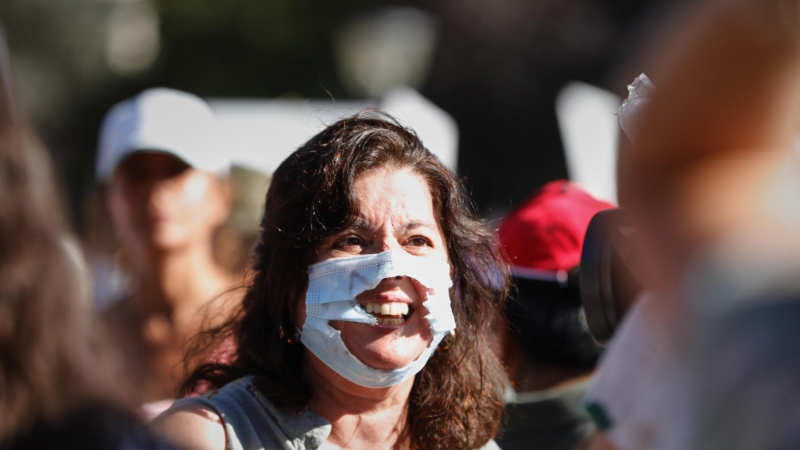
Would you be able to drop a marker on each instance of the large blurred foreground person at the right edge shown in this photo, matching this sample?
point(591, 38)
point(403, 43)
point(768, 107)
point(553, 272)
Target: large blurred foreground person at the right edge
point(712, 187)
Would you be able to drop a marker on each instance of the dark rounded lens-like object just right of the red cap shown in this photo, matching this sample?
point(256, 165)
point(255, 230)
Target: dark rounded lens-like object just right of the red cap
point(608, 286)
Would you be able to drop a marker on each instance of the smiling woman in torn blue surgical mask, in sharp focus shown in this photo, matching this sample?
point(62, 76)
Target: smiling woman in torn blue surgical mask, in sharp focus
point(343, 363)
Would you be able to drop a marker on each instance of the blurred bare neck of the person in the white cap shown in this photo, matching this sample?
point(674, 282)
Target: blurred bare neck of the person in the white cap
point(176, 279)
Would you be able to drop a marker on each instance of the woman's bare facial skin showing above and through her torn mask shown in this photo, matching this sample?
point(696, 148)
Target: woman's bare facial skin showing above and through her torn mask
point(395, 213)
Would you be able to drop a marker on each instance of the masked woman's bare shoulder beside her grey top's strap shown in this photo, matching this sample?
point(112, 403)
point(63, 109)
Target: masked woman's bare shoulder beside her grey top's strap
point(192, 427)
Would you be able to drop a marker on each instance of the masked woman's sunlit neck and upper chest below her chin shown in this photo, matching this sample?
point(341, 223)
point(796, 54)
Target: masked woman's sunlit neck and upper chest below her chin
point(361, 417)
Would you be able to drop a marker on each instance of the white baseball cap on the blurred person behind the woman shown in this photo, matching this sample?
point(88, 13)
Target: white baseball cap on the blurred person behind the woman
point(162, 120)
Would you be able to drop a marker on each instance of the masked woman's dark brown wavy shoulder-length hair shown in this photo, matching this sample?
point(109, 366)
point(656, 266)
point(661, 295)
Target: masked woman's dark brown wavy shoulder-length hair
point(455, 402)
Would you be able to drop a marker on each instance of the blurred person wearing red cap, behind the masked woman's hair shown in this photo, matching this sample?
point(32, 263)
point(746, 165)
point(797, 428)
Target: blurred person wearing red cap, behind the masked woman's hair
point(546, 346)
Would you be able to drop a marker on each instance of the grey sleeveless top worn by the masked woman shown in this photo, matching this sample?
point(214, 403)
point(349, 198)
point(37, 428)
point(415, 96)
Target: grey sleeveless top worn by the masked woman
point(253, 423)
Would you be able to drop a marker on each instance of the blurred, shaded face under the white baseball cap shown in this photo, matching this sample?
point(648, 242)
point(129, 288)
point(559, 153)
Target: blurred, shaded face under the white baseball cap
point(159, 204)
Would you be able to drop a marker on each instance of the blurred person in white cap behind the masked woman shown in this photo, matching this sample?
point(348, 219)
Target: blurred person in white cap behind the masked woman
point(163, 165)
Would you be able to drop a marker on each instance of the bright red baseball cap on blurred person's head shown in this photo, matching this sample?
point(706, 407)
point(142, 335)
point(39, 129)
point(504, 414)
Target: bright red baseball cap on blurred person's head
point(545, 234)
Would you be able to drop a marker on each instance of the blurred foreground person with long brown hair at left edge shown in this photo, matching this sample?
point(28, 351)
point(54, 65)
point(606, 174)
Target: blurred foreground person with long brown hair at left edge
point(60, 384)
